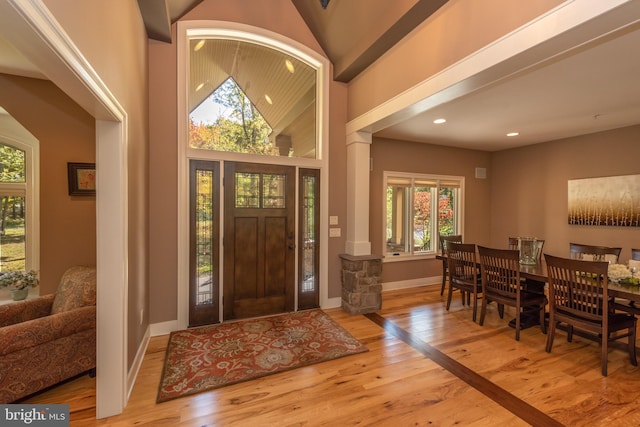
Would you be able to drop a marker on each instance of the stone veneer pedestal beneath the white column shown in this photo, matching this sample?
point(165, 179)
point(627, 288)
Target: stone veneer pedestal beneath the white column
point(361, 287)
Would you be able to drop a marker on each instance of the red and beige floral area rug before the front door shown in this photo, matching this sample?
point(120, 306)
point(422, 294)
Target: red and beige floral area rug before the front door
point(209, 357)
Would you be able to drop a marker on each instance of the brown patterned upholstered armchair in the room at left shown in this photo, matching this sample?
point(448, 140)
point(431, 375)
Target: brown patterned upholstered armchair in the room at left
point(48, 339)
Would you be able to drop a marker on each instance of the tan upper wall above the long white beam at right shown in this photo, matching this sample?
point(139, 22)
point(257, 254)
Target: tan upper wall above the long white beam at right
point(456, 30)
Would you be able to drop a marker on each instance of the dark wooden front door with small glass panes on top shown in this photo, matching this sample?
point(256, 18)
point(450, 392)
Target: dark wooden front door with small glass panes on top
point(259, 243)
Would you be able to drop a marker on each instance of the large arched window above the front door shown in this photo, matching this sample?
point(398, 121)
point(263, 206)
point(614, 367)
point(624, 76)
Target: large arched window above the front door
point(247, 98)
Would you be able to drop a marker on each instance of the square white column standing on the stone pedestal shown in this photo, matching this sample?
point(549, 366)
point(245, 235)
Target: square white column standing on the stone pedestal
point(358, 154)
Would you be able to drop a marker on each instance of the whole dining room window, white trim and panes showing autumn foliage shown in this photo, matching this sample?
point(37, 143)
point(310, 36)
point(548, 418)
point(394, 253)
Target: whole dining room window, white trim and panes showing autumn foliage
point(417, 209)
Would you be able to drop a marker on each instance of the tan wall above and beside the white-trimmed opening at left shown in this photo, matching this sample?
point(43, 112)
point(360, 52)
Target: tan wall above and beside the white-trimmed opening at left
point(112, 37)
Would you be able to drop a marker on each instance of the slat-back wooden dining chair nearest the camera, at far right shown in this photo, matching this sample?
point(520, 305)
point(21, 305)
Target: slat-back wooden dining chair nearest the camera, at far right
point(578, 293)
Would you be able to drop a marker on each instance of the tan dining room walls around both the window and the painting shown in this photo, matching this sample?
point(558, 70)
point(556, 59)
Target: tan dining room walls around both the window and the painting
point(525, 193)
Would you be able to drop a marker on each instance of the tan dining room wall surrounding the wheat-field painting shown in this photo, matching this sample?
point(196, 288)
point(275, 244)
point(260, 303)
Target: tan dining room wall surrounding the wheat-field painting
point(529, 189)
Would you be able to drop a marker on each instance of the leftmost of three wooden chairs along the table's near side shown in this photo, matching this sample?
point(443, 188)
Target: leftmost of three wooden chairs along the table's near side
point(463, 273)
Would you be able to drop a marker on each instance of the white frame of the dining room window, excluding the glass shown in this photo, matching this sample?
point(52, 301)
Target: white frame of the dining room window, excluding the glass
point(412, 254)
